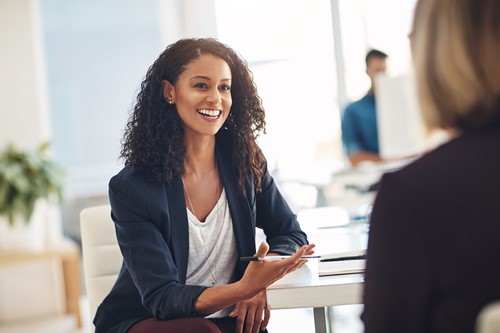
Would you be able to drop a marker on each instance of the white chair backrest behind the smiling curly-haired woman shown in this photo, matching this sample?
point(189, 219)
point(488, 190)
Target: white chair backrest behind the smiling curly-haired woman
point(101, 254)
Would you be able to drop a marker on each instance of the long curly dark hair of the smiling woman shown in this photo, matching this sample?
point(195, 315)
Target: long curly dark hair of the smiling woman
point(153, 141)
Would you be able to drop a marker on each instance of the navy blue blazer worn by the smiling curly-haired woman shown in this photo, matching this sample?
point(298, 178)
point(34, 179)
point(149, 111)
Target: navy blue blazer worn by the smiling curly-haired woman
point(151, 226)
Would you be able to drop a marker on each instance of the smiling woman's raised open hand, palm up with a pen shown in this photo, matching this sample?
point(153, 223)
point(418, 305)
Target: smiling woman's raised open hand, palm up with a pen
point(260, 274)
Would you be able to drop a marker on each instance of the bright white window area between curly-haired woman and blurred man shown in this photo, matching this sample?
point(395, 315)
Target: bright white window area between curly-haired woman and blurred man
point(289, 47)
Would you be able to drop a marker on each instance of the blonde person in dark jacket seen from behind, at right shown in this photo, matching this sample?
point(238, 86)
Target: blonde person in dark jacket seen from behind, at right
point(434, 246)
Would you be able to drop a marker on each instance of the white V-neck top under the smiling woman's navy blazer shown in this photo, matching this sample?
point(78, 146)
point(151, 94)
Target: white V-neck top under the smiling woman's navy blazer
point(212, 249)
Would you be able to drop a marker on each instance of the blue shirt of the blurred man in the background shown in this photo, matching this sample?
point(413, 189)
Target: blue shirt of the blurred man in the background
point(359, 126)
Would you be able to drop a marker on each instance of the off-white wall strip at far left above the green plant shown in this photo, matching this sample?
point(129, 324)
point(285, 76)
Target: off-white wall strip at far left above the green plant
point(23, 110)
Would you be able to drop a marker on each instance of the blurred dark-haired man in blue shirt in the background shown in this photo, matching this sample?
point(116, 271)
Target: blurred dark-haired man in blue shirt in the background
point(359, 122)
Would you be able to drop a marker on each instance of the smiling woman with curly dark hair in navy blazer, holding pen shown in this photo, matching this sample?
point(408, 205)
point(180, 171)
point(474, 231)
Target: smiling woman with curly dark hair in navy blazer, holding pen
point(185, 204)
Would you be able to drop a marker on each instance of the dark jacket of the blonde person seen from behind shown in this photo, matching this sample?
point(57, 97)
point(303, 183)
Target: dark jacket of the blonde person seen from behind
point(434, 243)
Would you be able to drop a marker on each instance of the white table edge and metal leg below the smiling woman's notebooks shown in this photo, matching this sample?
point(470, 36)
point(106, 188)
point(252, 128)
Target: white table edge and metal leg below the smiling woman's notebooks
point(329, 291)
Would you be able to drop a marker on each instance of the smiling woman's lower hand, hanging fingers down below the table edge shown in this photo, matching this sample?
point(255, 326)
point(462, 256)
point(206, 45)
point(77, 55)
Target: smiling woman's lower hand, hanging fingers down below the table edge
point(249, 314)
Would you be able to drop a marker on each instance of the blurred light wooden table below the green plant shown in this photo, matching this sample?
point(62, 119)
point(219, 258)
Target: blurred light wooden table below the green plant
point(68, 254)
